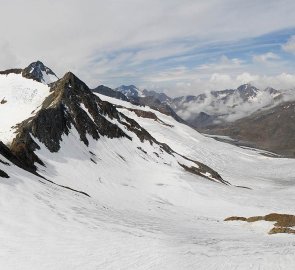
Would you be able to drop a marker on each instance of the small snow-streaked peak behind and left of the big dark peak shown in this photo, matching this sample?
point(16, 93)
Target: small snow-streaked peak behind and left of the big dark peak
point(39, 72)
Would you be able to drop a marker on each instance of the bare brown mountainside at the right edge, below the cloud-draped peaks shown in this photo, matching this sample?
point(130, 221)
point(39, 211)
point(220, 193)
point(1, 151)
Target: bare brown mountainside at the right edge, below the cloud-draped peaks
point(271, 129)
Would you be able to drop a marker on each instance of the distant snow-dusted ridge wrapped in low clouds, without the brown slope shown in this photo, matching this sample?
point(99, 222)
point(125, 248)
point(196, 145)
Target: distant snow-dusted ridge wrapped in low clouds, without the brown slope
point(213, 107)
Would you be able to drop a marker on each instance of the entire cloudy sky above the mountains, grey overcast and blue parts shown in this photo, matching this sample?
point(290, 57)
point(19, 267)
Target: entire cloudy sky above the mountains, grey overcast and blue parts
point(176, 46)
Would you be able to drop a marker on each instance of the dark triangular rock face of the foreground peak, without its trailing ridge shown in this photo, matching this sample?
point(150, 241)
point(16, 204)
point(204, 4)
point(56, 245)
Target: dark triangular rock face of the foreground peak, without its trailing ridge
point(71, 105)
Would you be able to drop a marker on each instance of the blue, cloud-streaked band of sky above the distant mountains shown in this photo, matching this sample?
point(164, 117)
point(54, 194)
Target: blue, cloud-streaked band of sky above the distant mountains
point(176, 64)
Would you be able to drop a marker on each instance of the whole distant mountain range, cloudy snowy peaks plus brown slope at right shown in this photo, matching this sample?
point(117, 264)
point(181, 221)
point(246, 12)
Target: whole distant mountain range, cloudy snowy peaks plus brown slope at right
point(227, 112)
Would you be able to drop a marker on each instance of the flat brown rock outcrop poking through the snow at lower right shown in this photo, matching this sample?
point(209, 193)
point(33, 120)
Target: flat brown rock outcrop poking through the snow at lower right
point(282, 224)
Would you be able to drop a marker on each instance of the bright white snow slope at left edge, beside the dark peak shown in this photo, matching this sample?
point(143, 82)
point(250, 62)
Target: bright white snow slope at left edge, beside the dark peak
point(20, 98)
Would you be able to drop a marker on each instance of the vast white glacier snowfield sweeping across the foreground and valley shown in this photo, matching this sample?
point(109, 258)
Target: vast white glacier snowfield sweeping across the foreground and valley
point(145, 214)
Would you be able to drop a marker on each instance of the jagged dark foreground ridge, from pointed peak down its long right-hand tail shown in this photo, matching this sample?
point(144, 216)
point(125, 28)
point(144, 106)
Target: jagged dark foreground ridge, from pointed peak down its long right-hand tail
point(70, 108)
